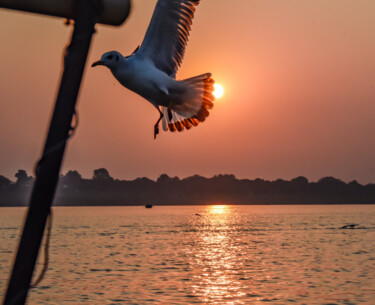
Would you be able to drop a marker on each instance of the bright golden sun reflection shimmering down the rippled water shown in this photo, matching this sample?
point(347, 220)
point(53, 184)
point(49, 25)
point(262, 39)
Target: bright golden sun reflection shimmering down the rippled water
point(218, 259)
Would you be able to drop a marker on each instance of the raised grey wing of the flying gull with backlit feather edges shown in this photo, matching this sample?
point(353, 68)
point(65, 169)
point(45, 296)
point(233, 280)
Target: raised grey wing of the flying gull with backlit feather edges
point(167, 34)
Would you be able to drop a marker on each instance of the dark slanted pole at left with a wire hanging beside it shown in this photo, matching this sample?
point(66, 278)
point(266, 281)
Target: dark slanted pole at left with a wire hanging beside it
point(49, 167)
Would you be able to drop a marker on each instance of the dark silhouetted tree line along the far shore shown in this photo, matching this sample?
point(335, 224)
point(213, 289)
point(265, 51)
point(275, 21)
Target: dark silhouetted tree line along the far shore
point(102, 189)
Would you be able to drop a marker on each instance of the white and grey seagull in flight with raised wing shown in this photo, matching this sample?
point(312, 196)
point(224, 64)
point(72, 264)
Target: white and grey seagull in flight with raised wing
point(150, 71)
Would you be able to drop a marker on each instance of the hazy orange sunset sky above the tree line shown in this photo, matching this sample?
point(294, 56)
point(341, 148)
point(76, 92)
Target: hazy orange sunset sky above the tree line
point(299, 79)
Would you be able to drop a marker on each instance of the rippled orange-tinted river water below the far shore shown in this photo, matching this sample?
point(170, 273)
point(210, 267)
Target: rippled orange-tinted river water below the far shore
point(203, 255)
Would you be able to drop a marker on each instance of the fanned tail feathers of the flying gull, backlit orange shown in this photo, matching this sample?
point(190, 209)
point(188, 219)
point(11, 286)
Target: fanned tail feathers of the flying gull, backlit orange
point(194, 108)
